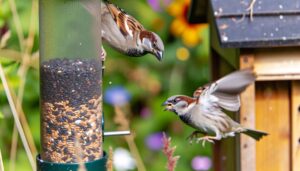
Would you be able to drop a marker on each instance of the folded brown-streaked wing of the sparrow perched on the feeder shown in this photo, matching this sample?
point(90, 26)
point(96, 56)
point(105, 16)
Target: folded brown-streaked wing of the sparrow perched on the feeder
point(126, 23)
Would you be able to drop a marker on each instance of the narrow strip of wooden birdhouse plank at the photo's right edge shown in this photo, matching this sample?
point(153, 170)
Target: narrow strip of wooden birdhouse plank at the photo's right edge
point(295, 99)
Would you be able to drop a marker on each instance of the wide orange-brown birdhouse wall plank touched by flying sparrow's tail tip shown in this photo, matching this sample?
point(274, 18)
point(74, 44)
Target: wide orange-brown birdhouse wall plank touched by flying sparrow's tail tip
point(273, 116)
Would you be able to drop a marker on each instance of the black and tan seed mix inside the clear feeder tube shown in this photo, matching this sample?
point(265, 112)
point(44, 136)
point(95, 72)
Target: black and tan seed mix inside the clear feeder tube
point(71, 110)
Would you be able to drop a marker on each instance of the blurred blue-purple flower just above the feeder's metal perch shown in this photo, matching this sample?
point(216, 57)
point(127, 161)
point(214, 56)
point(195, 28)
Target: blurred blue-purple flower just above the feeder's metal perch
point(116, 95)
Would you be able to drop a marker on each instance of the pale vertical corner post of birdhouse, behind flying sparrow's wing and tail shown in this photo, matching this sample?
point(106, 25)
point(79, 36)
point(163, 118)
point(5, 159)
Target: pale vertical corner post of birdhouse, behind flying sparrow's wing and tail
point(247, 119)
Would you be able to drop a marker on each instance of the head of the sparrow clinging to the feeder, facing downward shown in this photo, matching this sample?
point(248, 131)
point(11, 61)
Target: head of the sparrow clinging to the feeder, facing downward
point(152, 43)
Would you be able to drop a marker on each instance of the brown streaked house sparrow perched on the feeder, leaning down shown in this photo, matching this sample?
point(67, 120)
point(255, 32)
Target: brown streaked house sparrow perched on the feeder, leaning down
point(124, 33)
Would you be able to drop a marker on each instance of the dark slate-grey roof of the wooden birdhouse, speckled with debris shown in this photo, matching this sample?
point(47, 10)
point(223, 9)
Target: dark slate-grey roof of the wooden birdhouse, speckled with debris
point(274, 23)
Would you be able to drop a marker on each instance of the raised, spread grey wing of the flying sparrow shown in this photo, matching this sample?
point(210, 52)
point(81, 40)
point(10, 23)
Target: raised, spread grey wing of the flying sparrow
point(224, 93)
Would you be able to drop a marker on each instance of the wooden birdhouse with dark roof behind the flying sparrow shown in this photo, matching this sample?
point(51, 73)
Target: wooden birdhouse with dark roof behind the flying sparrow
point(266, 39)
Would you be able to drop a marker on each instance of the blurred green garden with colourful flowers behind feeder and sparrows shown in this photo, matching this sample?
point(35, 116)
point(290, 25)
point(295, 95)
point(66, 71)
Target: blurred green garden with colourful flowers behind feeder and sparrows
point(138, 86)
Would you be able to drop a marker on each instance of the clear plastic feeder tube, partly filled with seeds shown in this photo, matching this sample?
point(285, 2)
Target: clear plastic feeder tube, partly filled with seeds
point(70, 74)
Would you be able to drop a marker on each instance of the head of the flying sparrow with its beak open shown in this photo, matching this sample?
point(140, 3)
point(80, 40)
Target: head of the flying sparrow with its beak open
point(179, 104)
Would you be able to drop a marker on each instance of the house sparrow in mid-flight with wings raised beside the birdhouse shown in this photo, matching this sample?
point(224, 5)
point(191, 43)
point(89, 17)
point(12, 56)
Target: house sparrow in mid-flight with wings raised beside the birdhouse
point(205, 111)
